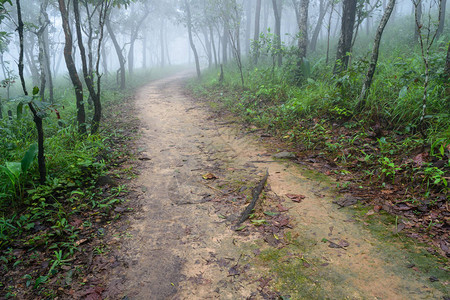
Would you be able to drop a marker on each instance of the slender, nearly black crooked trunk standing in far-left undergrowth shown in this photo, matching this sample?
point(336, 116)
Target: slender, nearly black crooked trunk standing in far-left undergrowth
point(37, 119)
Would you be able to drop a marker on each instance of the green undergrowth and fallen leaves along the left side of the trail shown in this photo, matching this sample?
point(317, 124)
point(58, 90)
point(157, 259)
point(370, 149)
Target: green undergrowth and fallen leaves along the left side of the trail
point(44, 228)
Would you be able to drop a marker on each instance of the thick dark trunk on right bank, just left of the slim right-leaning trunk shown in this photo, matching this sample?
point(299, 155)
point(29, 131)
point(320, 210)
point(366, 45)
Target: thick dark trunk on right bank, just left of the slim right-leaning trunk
point(345, 41)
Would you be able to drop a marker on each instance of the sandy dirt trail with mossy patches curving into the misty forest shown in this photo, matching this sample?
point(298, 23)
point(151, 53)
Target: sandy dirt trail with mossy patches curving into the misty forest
point(181, 247)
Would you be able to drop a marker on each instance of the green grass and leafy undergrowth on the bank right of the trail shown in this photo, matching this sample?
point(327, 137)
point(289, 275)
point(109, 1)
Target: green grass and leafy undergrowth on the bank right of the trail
point(383, 151)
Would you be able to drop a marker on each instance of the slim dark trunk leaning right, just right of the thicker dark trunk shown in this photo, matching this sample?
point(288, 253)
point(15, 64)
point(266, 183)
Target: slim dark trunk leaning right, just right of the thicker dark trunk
point(374, 58)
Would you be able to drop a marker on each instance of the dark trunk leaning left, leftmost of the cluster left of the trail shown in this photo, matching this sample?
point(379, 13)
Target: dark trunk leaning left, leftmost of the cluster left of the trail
point(81, 115)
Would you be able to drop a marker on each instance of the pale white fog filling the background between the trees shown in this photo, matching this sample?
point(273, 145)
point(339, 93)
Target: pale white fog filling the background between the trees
point(154, 34)
